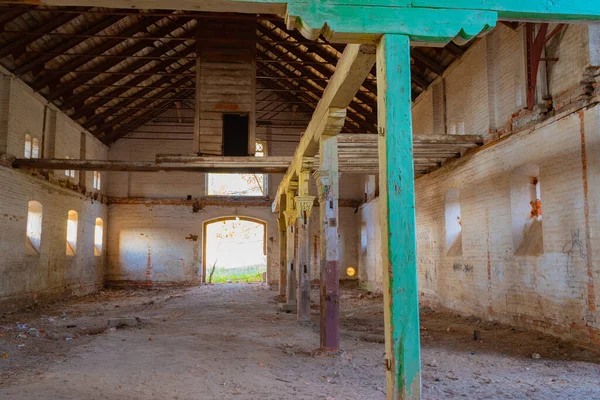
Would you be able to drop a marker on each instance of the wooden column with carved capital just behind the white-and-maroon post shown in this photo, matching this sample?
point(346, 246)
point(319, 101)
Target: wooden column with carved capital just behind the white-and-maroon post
point(304, 203)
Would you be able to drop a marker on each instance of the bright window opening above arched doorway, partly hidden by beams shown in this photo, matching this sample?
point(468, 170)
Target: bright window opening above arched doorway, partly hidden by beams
point(219, 184)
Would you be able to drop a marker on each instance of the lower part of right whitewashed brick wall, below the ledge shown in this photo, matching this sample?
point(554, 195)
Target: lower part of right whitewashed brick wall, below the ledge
point(548, 292)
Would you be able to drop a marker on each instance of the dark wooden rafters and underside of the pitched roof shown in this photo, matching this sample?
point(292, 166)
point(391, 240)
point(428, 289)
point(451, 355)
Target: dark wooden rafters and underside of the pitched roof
point(126, 84)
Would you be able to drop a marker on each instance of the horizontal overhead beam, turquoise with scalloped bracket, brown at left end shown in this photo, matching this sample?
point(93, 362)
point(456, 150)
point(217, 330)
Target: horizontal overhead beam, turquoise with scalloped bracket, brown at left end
point(356, 21)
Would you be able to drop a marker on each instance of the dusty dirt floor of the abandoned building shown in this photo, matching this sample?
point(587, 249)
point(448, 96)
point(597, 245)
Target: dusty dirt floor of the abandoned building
point(229, 342)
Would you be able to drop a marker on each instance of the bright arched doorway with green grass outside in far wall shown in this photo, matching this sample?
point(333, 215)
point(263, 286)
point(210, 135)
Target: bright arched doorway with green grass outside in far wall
point(235, 249)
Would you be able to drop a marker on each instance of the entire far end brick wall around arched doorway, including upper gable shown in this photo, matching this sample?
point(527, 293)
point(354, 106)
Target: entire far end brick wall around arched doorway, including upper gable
point(163, 228)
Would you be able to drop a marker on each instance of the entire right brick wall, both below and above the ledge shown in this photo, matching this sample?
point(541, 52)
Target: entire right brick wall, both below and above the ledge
point(556, 291)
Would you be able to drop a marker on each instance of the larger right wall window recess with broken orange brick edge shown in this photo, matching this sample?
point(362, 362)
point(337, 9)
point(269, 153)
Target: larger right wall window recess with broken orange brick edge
point(526, 210)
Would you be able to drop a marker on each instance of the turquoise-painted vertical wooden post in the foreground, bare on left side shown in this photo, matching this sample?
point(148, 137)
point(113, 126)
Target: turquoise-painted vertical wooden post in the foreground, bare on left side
point(397, 218)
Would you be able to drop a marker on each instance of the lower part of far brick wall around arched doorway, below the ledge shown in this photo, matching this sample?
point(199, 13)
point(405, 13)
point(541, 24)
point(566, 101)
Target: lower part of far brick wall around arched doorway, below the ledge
point(152, 243)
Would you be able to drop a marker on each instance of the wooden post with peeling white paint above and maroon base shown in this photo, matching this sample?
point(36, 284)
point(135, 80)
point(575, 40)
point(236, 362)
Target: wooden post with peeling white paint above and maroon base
point(327, 177)
